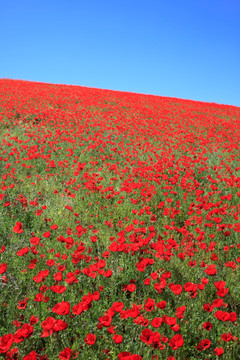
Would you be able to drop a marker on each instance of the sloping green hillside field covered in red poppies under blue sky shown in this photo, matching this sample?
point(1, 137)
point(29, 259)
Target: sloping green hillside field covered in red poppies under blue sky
point(119, 225)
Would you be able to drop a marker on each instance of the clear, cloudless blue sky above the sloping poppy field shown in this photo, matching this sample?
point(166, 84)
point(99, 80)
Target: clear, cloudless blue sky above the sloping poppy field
point(186, 49)
